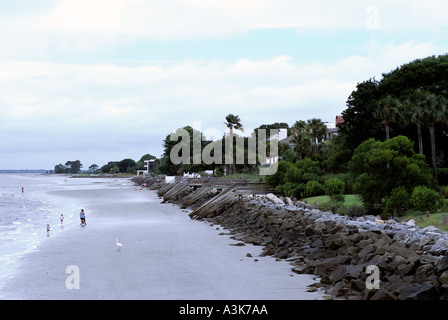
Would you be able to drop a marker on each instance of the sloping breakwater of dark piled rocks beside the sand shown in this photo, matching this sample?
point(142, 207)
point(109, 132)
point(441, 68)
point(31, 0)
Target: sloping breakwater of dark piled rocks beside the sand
point(412, 262)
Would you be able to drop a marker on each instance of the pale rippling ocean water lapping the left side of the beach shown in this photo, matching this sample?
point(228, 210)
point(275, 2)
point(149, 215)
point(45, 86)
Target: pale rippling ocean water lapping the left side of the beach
point(24, 216)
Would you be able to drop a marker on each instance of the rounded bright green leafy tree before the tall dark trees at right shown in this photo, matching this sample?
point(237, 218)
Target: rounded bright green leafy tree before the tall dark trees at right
point(380, 167)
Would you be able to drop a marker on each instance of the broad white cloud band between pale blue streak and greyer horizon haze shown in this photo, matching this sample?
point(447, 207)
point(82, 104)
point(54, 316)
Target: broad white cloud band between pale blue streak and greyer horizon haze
point(189, 90)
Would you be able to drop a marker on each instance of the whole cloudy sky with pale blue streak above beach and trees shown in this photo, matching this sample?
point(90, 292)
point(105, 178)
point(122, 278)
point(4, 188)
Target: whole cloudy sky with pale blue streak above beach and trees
point(105, 80)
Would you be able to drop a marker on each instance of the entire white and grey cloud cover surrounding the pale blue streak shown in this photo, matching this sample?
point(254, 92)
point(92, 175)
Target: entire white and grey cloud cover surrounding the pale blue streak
point(99, 108)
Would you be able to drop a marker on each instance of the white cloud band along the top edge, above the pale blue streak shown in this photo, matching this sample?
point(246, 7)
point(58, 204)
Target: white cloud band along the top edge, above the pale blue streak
point(84, 25)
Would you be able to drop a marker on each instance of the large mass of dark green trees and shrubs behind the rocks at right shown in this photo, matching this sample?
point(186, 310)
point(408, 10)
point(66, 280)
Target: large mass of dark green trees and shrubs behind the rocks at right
point(392, 146)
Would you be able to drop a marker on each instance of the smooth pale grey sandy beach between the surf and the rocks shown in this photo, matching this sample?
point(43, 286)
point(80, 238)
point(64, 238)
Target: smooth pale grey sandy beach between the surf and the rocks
point(165, 255)
